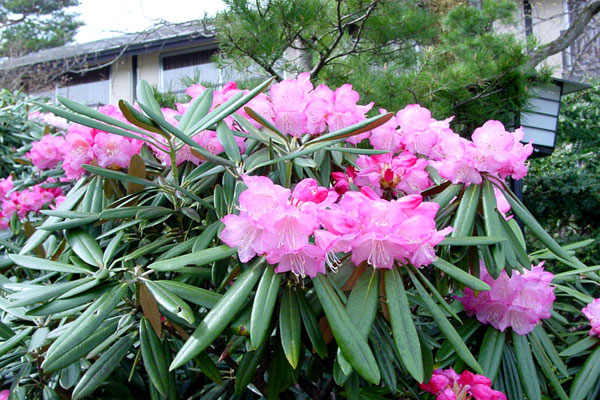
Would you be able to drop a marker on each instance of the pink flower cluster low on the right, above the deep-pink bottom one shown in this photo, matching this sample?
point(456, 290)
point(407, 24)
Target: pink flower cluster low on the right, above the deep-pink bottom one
point(519, 301)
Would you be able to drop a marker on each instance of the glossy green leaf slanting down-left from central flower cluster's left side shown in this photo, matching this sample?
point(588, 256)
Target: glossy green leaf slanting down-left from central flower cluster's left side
point(220, 316)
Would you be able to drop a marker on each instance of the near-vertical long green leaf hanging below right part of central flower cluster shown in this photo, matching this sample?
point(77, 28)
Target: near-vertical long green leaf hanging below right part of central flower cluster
point(403, 326)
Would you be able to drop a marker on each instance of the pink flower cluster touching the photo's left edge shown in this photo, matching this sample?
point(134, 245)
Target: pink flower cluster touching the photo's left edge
point(28, 200)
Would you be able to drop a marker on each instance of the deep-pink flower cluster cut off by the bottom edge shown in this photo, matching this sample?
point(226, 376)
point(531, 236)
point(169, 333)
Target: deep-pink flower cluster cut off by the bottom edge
point(448, 385)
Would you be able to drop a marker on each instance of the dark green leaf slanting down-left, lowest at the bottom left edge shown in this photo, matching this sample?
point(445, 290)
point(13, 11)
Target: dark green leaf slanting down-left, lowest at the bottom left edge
point(103, 367)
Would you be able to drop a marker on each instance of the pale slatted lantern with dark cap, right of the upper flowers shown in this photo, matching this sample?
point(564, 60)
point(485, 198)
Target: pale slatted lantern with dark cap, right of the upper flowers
point(540, 120)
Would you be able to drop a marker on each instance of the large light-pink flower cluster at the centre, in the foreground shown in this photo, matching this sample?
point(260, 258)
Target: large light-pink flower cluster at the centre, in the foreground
point(303, 229)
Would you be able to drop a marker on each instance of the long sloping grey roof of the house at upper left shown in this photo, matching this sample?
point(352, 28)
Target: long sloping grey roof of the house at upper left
point(153, 39)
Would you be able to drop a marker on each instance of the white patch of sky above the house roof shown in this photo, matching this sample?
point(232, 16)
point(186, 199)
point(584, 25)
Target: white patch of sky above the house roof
point(107, 18)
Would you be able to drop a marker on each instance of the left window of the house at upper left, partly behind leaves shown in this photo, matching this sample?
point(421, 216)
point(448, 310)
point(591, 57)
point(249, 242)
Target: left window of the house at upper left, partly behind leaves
point(91, 88)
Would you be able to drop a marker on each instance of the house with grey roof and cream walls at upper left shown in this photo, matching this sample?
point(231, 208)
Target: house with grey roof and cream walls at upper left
point(104, 71)
